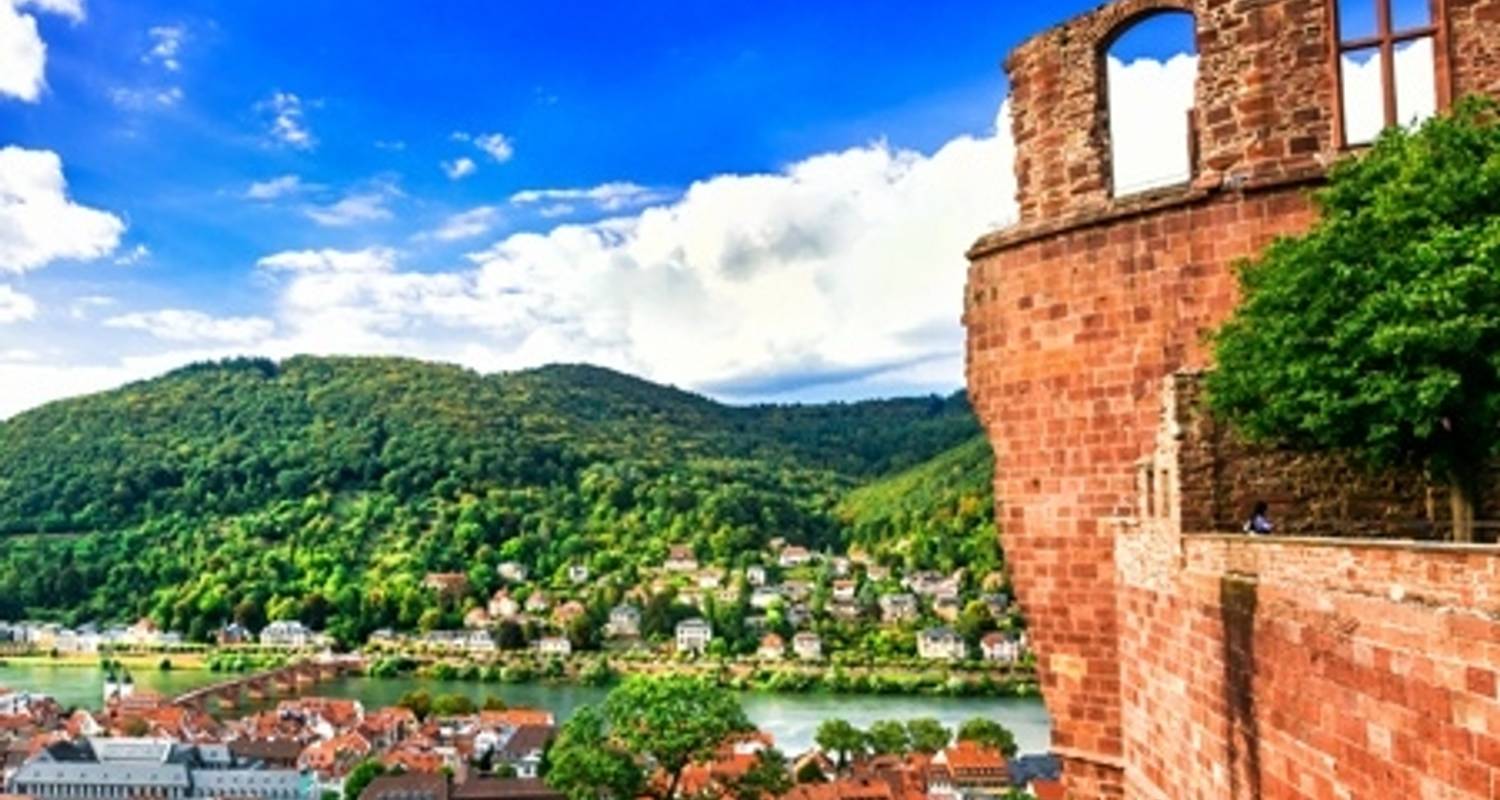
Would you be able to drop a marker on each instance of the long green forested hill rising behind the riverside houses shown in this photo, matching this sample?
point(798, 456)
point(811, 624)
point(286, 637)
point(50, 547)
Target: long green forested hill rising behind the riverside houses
point(328, 489)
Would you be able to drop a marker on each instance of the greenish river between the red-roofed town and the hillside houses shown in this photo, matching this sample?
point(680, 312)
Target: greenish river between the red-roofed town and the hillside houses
point(790, 718)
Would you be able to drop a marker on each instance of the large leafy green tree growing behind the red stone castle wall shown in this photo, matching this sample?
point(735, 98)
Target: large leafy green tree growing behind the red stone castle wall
point(1378, 332)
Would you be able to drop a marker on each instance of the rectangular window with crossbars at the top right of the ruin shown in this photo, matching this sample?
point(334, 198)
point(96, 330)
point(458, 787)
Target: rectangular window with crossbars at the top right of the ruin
point(1387, 64)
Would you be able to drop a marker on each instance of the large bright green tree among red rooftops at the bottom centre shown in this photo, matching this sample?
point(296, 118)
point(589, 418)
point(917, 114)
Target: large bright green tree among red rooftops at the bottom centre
point(664, 723)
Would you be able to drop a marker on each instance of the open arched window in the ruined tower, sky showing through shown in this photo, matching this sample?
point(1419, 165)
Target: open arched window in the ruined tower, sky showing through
point(1151, 73)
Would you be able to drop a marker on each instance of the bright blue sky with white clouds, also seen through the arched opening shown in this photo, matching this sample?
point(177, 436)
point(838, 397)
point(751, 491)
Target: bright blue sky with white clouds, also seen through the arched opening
point(760, 202)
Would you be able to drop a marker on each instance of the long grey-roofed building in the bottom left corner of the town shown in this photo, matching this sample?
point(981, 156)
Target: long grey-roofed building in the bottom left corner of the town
point(104, 769)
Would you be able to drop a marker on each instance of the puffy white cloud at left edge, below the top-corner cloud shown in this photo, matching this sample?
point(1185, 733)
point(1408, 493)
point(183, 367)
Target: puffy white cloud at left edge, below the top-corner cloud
point(38, 223)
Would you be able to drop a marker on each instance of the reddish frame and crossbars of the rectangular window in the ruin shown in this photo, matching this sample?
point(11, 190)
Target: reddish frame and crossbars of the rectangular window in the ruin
point(1387, 41)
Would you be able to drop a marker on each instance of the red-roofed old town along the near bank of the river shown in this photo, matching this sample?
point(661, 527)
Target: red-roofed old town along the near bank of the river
point(448, 747)
